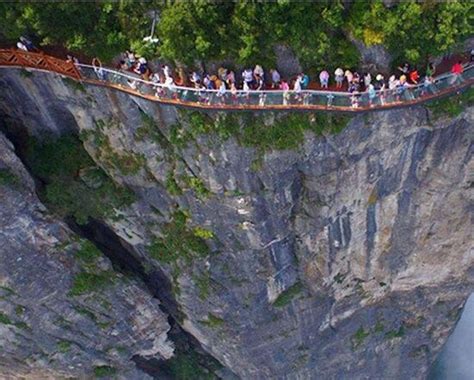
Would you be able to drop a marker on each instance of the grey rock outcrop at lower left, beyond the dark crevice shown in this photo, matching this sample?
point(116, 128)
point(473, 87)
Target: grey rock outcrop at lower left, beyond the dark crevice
point(46, 331)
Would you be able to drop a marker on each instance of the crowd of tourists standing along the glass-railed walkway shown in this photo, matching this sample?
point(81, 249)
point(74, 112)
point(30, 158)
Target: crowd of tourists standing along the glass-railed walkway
point(229, 86)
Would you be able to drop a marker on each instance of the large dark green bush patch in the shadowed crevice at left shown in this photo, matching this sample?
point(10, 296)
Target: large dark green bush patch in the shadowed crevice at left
point(74, 185)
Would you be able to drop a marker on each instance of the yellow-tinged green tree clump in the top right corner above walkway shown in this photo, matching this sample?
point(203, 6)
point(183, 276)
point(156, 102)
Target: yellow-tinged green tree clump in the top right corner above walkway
point(411, 30)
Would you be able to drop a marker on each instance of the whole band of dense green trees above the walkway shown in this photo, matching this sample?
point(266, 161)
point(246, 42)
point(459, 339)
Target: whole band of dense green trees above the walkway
point(245, 31)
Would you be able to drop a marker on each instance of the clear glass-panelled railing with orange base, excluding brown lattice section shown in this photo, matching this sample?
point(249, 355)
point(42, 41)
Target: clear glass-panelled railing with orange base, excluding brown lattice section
point(274, 99)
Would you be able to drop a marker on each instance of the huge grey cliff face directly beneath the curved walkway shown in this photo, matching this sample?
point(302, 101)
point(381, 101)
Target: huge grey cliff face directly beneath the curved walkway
point(349, 256)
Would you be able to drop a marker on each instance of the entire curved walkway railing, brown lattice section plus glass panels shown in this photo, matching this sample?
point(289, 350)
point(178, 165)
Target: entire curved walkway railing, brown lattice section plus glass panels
point(273, 100)
